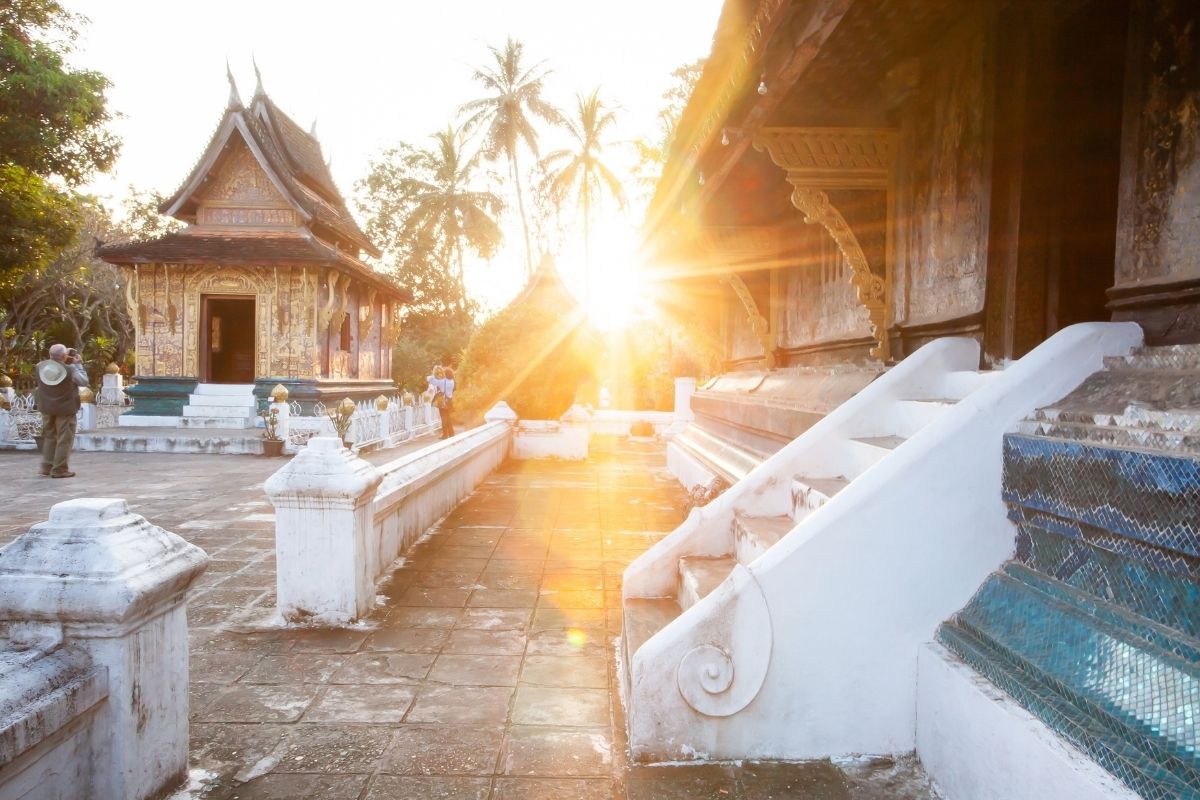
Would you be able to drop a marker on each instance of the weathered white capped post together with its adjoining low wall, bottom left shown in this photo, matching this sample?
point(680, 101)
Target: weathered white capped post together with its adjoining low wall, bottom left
point(94, 675)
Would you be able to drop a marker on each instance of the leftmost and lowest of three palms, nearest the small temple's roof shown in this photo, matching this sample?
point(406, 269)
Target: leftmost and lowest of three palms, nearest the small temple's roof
point(447, 210)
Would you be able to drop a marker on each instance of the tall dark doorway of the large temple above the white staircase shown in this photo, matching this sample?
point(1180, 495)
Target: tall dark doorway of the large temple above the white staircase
point(1058, 147)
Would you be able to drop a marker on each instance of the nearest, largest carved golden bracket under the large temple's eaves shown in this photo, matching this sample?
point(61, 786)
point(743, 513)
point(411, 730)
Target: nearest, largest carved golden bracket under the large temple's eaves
point(855, 159)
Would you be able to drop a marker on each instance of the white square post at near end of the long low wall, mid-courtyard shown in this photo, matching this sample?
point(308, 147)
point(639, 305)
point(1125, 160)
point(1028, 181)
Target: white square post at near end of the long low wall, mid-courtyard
point(325, 532)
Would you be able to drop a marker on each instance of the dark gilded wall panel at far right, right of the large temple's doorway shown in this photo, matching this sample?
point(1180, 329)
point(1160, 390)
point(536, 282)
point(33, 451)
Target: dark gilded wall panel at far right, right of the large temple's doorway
point(1159, 232)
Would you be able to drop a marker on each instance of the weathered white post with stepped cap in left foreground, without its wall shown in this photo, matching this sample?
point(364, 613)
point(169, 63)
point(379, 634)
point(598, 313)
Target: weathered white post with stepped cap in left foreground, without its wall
point(109, 582)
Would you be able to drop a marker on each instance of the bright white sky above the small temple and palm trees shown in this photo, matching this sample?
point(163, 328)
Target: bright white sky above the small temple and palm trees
point(370, 73)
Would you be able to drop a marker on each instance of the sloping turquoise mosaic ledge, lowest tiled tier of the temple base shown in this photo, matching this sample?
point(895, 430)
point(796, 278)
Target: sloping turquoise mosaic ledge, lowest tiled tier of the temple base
point(1096, 675)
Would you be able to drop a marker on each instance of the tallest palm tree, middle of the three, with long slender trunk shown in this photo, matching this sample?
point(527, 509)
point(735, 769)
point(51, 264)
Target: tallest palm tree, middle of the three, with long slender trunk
point(514, 99)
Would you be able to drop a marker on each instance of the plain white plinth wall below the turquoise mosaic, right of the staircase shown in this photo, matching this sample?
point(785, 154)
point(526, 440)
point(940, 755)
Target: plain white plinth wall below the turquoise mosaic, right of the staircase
point(979, 744)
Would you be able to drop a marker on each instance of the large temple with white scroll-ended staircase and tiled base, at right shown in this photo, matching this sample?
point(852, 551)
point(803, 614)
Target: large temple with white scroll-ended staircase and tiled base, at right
point(953, 250)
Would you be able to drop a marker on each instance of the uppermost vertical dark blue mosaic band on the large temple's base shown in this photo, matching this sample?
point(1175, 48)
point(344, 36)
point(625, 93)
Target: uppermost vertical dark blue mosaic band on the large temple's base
point(1142, 495)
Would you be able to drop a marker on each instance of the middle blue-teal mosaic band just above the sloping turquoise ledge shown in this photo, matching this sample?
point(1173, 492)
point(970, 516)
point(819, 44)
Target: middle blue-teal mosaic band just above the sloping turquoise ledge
point(1121, 576)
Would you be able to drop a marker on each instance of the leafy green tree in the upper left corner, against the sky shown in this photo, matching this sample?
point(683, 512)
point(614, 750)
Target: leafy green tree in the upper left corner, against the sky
point(53, 133)
